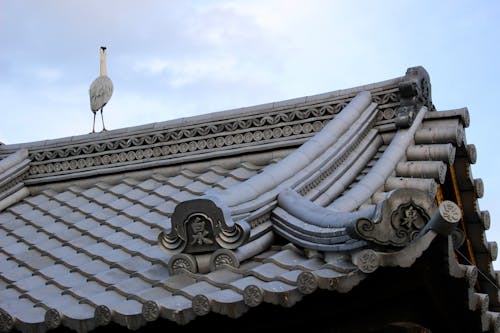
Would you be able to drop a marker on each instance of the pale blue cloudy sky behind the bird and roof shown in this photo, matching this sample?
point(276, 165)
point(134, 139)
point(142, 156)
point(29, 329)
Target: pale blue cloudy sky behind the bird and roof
point(171, 59)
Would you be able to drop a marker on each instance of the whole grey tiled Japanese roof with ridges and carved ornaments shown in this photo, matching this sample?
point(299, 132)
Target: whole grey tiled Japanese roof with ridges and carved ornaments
point(222, 212)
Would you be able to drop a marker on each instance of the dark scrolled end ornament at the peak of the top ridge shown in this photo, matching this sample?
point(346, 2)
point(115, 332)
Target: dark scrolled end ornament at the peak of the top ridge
point(415, 92)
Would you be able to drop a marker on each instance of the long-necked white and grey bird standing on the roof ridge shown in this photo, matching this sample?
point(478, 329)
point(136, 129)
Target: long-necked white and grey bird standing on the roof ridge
point(100, 90)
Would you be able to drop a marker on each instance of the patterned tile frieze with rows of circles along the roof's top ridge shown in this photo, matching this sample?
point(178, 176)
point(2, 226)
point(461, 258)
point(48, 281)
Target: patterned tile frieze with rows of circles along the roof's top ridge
point(169, 144)
